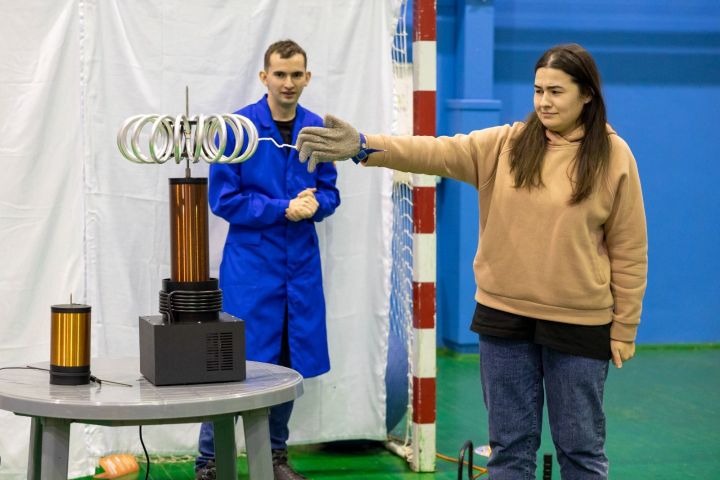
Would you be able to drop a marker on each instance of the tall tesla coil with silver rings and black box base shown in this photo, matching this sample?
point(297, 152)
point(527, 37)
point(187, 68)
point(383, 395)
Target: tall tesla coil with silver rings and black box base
point(191, 340)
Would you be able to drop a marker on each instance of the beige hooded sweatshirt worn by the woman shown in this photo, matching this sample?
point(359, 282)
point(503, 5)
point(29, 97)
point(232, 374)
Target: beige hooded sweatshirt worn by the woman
point(538, 256)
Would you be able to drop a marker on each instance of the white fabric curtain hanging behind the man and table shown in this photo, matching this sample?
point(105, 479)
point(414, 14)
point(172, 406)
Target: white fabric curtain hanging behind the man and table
point(76, 218)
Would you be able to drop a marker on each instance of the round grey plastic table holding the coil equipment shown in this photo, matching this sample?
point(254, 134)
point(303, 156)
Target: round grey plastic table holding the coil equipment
point(54, 407)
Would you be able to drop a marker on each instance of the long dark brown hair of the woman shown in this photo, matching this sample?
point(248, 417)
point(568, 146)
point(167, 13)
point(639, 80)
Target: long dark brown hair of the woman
point(593, 155)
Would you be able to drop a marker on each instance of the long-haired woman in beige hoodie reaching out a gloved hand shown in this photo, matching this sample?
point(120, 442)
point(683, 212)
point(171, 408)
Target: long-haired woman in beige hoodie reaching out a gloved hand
point(561, 267)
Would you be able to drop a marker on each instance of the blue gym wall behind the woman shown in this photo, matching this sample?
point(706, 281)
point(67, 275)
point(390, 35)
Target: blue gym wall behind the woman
point(660, 63)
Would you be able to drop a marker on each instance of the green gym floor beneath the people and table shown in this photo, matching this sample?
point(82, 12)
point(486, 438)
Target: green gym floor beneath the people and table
point(663, 412)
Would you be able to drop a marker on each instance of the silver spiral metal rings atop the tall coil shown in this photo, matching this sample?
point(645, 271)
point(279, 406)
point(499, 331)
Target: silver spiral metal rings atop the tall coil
point(191, 138)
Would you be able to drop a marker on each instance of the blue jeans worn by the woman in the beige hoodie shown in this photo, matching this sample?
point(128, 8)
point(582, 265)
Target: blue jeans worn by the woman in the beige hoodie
point(516, 377)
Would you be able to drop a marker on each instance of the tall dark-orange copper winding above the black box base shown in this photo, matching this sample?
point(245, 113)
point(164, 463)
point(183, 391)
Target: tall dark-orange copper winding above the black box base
point(189, 230)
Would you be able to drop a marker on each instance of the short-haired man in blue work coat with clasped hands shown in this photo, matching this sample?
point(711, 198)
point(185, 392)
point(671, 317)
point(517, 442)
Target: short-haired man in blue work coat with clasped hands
point(270, 273)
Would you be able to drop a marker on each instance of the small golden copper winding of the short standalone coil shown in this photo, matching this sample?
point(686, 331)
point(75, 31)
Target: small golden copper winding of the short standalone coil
point(70, 335)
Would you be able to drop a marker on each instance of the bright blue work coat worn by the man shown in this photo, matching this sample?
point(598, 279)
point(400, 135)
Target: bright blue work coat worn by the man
point(271, 265)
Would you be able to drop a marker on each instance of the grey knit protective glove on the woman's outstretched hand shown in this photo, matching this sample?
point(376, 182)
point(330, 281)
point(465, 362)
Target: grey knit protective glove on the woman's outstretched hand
point(337, 140)
